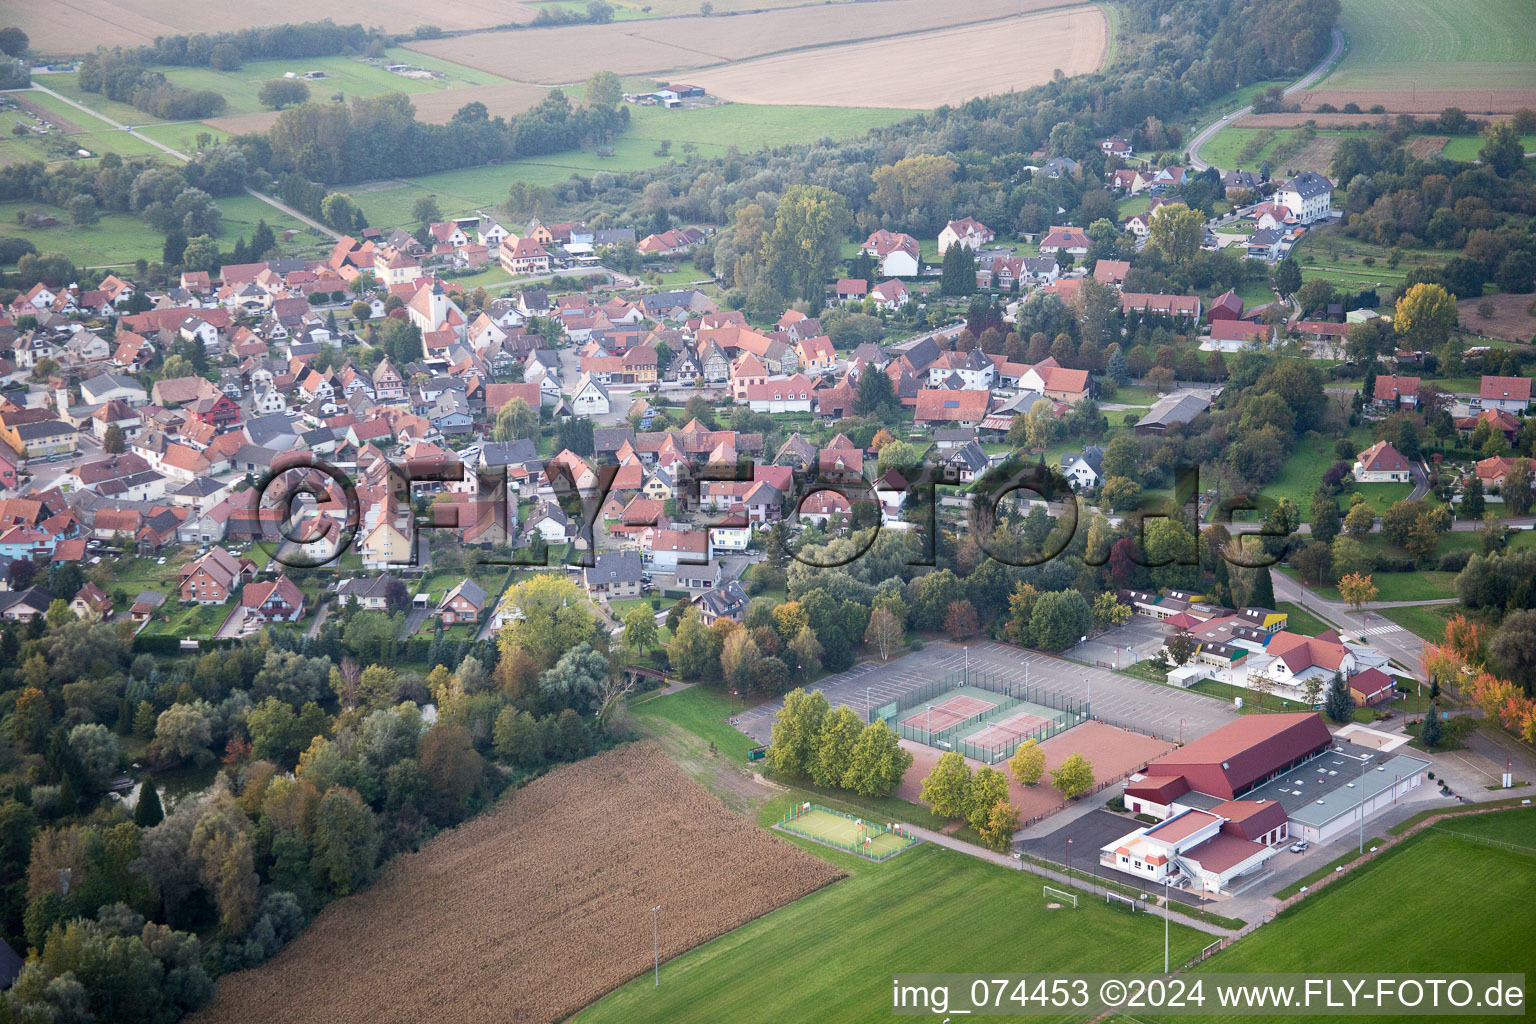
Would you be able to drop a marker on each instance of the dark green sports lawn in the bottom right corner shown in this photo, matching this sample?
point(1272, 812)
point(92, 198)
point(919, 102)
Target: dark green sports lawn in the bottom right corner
point(1395, 914)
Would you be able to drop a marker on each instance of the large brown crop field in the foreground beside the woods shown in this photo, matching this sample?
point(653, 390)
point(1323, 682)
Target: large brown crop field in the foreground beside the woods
point(535, 910)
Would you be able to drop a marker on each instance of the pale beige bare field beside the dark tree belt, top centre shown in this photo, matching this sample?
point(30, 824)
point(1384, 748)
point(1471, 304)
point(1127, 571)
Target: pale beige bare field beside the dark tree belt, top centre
point(999, 56)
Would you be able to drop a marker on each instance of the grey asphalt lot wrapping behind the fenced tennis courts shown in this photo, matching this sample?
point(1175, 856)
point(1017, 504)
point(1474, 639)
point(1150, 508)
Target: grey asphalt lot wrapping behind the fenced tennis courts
point(1116, 699)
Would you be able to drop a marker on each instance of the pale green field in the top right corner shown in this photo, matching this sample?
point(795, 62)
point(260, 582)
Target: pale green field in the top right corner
point(1435, 45)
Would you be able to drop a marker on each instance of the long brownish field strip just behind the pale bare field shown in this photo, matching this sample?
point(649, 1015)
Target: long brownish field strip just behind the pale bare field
point(569, 55)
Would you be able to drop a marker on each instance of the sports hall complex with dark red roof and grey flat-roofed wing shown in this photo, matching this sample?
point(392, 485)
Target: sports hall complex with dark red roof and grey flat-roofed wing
point(1230, 801)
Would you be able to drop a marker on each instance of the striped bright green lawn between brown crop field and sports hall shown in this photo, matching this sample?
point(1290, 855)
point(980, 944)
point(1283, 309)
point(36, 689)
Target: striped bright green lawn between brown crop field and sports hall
point(830, 956)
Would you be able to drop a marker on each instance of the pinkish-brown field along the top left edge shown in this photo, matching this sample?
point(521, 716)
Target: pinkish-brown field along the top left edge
point(82, 25)
